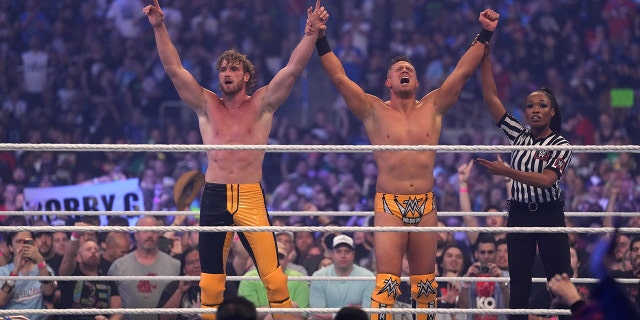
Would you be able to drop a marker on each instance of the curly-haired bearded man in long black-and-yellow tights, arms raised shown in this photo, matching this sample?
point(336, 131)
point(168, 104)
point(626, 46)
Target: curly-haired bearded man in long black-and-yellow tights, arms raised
point(232, 194)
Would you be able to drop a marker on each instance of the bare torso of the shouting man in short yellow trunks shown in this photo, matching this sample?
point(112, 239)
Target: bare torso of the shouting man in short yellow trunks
point(404, 172)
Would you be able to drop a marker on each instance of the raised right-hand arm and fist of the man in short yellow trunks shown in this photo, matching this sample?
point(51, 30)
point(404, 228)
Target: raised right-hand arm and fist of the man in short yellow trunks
point(450, 89)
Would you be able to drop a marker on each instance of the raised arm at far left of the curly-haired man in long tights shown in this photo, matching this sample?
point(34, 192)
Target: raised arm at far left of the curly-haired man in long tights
point(188, 88)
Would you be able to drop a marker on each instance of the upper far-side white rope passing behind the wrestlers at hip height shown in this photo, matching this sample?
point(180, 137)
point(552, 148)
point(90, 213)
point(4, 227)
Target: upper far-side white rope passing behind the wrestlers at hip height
point(303, 213)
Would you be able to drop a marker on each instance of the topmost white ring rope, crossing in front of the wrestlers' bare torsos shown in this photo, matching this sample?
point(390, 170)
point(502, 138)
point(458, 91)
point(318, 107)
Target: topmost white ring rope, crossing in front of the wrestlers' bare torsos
point(303, 148)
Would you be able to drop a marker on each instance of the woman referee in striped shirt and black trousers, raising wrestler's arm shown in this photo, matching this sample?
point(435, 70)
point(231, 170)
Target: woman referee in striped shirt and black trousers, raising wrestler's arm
point(536, 193)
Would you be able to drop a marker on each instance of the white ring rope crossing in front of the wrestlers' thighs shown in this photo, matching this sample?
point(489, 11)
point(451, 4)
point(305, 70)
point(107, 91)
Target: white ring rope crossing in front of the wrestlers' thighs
point(317, 229)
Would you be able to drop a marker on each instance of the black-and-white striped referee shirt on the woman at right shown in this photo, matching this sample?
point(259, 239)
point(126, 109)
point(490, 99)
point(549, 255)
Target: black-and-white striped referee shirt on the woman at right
point(534, 160)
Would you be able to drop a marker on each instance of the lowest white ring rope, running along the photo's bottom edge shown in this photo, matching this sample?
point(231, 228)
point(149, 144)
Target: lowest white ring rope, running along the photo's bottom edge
point(280, 310)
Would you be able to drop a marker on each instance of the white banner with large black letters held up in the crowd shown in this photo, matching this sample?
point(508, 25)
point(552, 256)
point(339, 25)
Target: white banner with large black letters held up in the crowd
point(123, 195)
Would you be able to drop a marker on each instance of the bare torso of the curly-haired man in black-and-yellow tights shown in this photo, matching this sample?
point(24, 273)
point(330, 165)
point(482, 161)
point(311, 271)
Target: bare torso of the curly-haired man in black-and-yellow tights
point(244, 124)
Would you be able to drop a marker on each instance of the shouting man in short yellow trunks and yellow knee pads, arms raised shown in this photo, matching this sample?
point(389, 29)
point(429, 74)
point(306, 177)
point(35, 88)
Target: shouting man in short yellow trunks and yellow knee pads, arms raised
point(405, 178)
